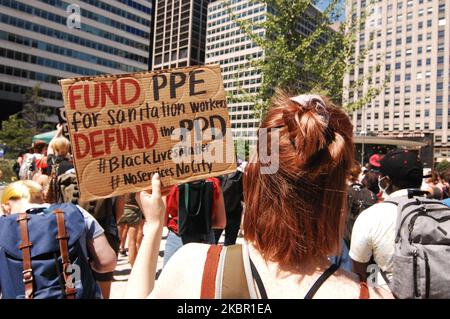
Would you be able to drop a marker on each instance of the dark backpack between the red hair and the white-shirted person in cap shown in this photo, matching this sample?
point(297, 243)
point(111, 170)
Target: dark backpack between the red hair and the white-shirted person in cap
point(359, 199)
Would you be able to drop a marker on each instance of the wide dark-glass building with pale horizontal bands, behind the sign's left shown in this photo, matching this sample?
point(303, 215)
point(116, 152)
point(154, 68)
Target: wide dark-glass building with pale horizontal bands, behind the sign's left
point(41, 42)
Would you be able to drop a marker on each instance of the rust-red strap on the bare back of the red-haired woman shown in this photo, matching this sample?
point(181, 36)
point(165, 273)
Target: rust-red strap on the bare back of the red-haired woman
point(208, 289)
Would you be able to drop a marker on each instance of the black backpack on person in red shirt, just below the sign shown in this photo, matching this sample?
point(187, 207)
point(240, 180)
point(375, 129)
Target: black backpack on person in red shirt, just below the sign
point(195, 203)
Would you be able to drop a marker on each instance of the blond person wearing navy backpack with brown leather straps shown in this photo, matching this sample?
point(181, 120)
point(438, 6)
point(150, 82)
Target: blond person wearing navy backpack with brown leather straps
point(49, 251)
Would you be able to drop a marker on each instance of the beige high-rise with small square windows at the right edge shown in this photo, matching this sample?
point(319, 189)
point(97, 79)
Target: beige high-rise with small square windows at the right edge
point(410, 43)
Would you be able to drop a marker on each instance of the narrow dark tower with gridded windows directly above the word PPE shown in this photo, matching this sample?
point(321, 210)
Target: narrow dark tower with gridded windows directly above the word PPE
point(179, 33)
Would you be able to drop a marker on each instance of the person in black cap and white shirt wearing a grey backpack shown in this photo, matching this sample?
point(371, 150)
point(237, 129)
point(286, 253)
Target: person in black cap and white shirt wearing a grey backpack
point(374, 229)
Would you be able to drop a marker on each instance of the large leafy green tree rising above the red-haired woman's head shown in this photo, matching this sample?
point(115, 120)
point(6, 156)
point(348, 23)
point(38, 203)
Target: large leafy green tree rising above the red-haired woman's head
point(314, 62)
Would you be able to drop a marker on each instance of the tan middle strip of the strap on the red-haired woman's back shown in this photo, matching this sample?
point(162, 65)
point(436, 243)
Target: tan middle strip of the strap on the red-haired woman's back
point(234, 281)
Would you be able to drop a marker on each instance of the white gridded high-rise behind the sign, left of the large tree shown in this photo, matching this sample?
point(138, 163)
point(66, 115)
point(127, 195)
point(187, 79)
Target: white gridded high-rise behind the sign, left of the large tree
point(228, 45)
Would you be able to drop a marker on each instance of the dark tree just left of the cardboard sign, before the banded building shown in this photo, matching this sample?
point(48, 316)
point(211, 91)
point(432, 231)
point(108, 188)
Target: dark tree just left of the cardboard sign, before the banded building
point(33, 113)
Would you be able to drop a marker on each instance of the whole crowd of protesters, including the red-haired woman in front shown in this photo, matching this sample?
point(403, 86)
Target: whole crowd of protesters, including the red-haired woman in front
point(311, 229)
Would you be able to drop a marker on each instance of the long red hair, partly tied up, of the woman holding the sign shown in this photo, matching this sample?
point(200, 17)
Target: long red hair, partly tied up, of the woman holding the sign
point(297, 213)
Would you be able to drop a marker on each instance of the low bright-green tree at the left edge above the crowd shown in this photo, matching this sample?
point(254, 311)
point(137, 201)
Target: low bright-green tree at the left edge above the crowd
point(15, 136)
